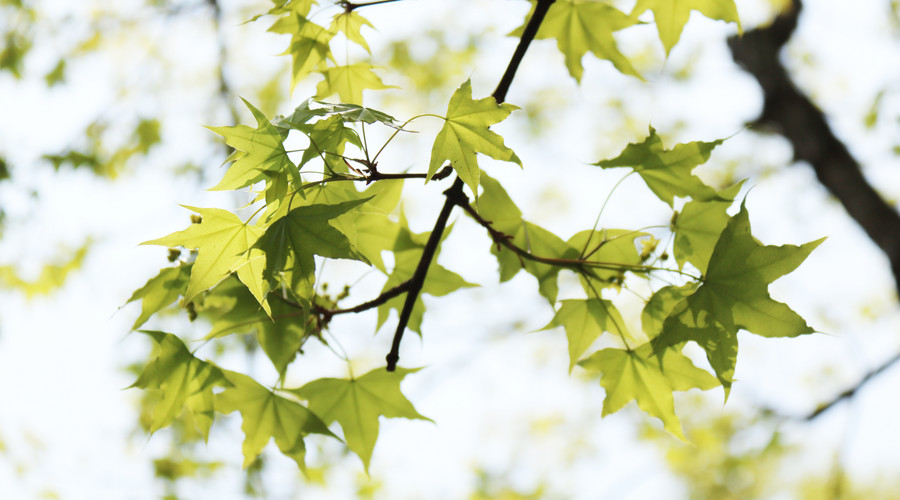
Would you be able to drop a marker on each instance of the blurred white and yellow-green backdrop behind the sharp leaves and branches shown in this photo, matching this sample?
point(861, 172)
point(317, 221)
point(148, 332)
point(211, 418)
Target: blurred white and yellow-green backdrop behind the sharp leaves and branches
point(102, 107)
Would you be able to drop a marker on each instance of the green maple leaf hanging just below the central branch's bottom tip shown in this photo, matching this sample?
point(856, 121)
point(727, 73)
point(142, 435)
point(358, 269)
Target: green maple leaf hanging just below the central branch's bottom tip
point(356, 404)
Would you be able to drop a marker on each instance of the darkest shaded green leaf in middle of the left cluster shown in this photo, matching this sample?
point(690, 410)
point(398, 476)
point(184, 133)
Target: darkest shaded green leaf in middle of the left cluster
point(303, 232)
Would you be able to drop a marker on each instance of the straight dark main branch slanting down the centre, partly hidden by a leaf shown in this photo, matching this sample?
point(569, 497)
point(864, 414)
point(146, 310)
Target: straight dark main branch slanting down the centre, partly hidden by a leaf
point(455, 193)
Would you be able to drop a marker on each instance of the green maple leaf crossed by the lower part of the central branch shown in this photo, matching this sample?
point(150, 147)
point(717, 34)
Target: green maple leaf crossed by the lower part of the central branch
point(439, 281)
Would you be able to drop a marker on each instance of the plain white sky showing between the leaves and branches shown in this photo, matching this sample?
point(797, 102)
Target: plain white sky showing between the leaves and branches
point(67, 423)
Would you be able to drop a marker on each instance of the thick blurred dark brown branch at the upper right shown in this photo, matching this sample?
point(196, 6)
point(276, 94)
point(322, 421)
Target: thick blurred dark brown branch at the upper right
point(793, 115)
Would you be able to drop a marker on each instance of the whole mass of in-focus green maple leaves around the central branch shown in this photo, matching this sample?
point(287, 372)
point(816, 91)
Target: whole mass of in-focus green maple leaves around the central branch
point(261, 274)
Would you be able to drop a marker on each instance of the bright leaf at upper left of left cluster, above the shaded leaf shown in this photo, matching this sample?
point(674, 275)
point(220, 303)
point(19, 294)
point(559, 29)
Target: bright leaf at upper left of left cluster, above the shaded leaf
point(259, 152)
